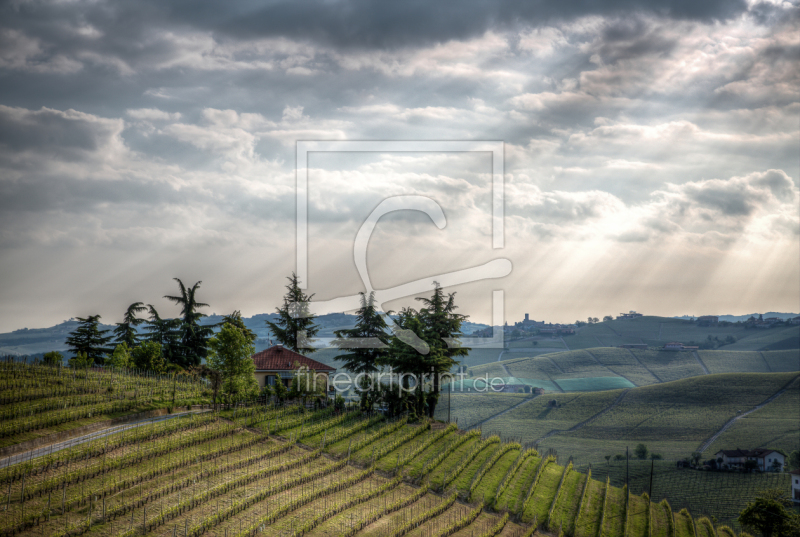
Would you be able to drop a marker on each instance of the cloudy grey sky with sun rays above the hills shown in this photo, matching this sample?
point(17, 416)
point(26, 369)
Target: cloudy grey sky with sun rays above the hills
point(651, 153)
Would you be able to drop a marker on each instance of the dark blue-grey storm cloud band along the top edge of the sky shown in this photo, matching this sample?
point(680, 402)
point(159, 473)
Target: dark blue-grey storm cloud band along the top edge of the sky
point(354, 23)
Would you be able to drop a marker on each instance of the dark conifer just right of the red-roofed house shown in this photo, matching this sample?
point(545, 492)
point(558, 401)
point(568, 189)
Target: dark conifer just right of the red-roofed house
point(367, 342)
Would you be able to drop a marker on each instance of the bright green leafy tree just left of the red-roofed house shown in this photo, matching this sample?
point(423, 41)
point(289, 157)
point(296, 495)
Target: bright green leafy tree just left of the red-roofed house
point(230, 353)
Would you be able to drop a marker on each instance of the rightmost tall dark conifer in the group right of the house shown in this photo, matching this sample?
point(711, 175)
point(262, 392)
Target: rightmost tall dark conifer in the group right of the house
point(441, 328)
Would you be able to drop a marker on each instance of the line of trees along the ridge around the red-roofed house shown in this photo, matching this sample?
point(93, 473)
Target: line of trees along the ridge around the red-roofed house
point(420, 346)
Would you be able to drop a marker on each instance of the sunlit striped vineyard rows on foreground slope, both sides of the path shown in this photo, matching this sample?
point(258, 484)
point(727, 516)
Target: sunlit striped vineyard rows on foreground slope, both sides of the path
point(288, 470)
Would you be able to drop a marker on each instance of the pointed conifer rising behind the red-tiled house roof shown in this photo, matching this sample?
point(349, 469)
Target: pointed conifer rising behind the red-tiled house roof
point(295, 326)
